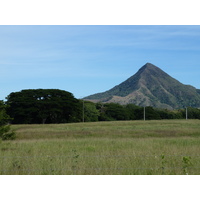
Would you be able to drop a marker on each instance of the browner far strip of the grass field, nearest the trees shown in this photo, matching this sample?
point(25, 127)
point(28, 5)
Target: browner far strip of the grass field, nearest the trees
point(122, 129)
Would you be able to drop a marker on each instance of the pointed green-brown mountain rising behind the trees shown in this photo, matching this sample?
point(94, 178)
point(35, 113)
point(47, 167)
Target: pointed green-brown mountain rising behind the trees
point(151, 86)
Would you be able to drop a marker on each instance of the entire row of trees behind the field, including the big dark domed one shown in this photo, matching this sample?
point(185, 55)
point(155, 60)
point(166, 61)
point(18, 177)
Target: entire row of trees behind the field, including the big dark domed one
point(58, 106)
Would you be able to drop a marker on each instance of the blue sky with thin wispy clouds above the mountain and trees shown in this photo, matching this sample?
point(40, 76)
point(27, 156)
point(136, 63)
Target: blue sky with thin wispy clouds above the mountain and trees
point(89, 59)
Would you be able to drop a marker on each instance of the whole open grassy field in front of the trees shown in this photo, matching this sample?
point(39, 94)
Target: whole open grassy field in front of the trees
point(122, 147)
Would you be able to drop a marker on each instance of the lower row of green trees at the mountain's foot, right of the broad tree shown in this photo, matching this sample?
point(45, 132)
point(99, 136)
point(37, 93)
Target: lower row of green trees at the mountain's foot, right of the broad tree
point(113, 111)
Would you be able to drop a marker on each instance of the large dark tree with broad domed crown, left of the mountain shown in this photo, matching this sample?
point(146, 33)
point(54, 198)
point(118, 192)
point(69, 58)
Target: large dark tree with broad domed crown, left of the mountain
point(43, 106)
